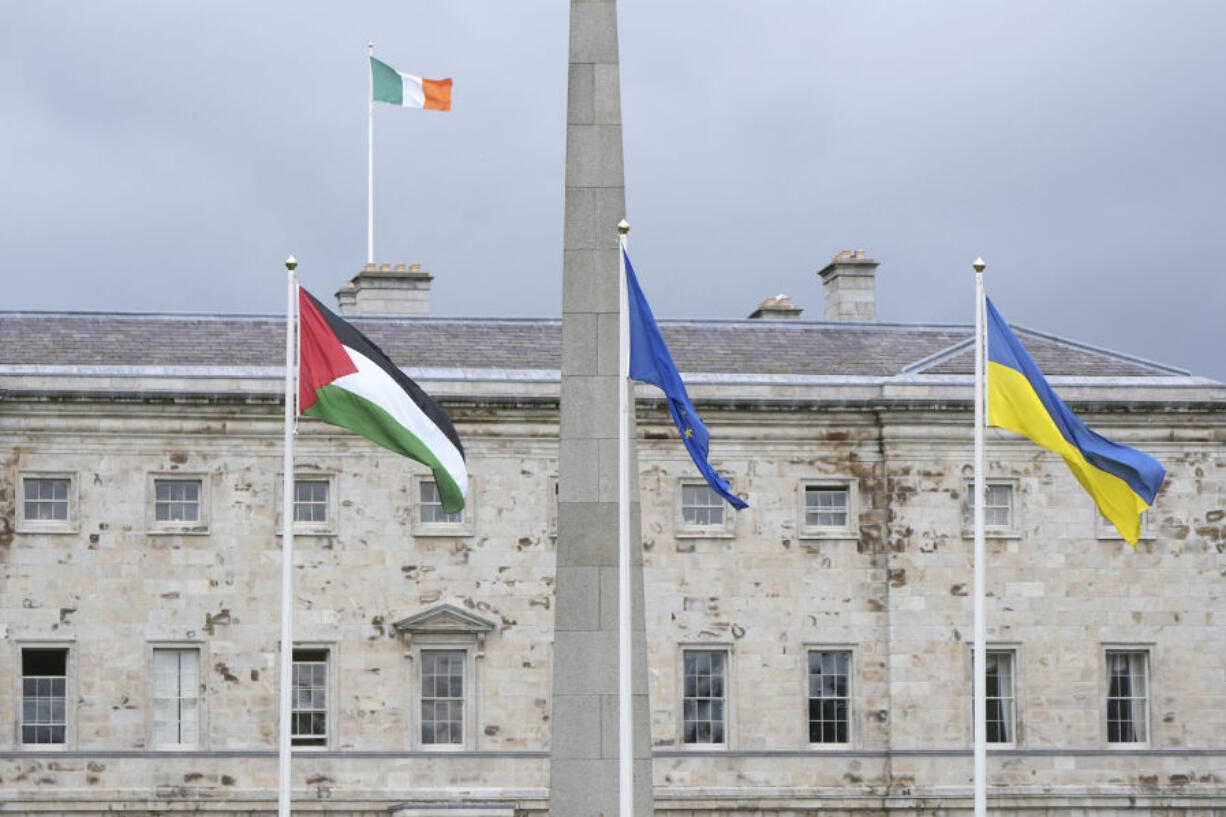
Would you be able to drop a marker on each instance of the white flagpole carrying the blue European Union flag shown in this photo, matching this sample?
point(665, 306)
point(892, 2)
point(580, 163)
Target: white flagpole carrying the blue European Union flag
point(626, 729)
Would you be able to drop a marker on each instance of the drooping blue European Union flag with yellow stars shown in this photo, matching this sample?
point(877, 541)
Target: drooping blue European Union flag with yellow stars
point(650, 362)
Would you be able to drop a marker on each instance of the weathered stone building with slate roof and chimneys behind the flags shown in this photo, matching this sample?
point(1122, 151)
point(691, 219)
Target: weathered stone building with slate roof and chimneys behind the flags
point(807, 654)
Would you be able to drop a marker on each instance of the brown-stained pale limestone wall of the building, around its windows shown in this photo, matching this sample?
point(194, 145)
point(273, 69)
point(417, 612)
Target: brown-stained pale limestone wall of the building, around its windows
point(897, 593)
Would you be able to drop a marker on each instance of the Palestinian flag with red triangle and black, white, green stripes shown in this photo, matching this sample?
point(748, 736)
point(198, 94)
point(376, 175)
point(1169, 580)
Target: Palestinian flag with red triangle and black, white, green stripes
point(346, 381)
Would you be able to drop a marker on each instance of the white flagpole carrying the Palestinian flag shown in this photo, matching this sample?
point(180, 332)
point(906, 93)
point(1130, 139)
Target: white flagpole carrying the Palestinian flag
point(287, 549)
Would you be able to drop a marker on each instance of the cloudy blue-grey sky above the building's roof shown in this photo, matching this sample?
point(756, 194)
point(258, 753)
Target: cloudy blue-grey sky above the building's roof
point(166, 158)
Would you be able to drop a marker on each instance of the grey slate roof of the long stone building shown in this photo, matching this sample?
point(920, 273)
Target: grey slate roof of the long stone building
point(708, 347)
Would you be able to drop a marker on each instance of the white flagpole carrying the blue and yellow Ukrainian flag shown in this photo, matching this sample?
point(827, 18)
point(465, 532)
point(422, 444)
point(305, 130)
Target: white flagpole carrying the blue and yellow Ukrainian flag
point(980, 652)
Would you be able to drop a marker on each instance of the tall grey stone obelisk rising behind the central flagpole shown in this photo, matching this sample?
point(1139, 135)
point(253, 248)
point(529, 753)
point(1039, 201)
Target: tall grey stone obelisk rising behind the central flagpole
point(584, 769)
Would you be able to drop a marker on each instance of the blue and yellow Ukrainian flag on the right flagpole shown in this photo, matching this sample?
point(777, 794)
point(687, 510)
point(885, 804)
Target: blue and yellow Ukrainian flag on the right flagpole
point(1122, 480)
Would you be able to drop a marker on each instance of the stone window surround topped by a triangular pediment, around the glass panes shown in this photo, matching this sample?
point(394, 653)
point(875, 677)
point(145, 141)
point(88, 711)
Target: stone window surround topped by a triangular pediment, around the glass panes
point(446, 629)
